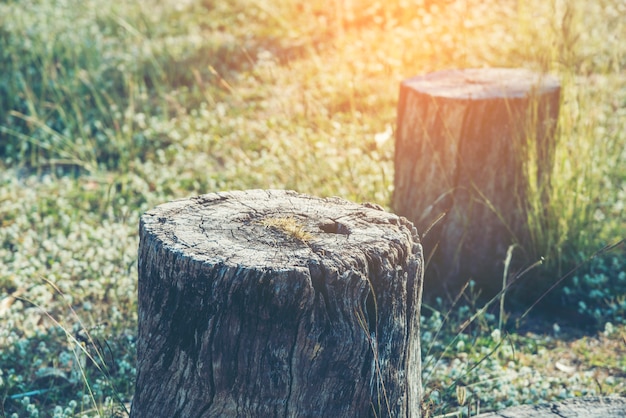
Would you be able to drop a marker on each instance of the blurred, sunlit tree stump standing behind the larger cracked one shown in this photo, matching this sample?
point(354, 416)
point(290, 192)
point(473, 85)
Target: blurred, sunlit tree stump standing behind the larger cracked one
point(470, 146)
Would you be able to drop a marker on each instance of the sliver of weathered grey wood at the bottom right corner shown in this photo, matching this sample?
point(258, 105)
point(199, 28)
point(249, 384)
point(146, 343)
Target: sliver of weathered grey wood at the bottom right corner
point(609, 407)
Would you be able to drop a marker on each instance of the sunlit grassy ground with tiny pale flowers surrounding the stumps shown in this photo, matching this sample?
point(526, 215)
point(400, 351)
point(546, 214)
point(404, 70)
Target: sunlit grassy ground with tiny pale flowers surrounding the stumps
point(108, 109)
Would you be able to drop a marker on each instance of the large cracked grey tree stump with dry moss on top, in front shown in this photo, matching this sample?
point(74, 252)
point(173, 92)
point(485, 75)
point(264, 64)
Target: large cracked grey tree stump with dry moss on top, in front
point(276, 304)
